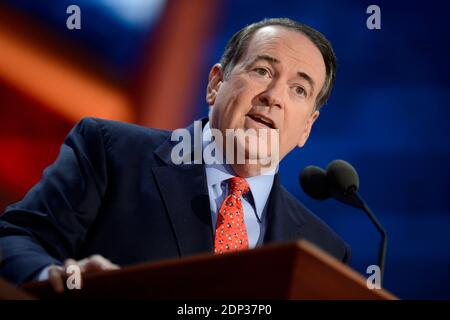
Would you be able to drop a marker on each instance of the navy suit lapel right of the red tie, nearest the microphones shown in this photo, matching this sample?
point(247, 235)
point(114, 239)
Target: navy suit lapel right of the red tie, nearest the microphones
point(283, 222)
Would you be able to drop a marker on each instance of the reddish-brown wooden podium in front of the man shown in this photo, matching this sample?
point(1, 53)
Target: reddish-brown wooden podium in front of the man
point(296, 270)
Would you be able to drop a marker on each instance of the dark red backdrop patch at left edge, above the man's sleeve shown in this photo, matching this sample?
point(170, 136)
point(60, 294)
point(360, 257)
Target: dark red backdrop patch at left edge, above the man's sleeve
point(30, 137)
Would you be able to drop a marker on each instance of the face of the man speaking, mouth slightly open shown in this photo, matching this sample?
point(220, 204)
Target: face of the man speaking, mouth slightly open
point(273, 86)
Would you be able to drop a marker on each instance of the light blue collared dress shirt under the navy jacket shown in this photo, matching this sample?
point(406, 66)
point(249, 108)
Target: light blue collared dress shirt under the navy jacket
point(254, 202)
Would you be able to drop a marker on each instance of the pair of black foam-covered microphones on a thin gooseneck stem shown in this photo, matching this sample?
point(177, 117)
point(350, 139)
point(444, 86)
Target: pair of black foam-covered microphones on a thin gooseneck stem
point(341, 181)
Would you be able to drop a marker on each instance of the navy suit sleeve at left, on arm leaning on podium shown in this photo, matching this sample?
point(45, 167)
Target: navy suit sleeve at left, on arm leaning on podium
point(48, 225)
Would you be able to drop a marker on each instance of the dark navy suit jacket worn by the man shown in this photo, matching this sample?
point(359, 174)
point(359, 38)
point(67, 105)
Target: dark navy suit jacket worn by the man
point(114, 191)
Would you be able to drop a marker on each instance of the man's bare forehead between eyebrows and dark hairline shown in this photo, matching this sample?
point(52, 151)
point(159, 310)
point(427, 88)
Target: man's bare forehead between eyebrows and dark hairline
point(291, 47)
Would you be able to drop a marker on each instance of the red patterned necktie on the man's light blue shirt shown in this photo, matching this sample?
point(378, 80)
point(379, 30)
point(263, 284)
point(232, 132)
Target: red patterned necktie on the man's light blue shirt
point(231, 234)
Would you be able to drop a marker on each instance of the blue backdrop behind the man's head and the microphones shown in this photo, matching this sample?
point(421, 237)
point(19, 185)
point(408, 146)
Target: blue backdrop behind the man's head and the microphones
point(388, 116)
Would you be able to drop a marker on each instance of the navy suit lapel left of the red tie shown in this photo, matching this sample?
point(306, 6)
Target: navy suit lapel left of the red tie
point(185, 193)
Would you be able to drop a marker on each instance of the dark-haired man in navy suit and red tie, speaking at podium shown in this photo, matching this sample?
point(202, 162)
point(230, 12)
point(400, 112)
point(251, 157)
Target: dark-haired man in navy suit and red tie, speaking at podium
point(114, 196)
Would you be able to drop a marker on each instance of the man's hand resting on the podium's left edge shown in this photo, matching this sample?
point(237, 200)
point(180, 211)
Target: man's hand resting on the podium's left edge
point(57, 274)
